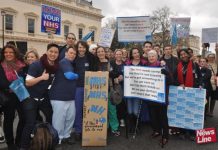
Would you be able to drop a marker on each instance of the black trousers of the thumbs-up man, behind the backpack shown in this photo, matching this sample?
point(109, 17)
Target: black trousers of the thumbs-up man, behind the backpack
point(30, 109)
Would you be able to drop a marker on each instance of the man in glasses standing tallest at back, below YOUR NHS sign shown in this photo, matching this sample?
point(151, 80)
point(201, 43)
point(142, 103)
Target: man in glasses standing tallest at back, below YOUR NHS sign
point(70, 42)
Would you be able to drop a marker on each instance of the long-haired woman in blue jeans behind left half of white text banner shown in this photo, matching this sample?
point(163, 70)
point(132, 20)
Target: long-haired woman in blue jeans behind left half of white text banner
point(133, 103)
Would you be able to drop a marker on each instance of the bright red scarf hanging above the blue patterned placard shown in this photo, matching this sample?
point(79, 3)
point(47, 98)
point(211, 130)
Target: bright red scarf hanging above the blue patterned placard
point(188, 82)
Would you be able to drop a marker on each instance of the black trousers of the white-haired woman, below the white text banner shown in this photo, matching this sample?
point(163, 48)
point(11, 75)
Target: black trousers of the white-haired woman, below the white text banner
point(159, 120)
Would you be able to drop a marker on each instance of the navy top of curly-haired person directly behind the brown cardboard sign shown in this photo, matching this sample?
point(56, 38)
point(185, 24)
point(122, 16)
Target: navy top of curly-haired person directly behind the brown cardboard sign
point(82, 65)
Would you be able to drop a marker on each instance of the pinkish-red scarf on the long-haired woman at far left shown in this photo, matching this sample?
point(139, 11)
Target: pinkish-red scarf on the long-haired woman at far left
point(10, 67)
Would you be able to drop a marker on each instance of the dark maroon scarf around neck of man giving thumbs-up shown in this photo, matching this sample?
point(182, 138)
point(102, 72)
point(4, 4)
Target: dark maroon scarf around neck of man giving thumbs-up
point(48, 67)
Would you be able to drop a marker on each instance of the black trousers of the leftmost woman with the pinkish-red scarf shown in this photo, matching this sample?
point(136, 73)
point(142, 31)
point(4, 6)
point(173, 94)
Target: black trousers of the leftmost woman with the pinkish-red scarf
point(9, 113)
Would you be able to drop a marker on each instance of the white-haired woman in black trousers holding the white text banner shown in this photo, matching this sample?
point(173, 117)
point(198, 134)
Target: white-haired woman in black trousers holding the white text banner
point(158, 111)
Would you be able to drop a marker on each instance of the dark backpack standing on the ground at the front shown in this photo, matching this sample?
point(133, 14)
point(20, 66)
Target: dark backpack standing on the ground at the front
point(44, 137)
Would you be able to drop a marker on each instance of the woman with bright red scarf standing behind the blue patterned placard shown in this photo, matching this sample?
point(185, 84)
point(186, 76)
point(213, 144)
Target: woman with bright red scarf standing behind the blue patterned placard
point(187, 75)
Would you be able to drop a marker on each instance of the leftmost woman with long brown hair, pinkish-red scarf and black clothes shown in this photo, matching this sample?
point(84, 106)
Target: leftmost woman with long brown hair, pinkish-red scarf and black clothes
point(10, 66)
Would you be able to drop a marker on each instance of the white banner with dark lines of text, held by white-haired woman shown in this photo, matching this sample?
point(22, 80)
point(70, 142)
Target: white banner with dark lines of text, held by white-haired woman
point(146, 83)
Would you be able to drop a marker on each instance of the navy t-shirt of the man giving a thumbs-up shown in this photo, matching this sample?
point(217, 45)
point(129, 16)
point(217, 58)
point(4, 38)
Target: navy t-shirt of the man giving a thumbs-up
point(41, 88)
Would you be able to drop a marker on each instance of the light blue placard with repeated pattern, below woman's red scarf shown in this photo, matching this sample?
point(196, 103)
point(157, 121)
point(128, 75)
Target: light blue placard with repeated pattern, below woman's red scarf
point(186, 107)
